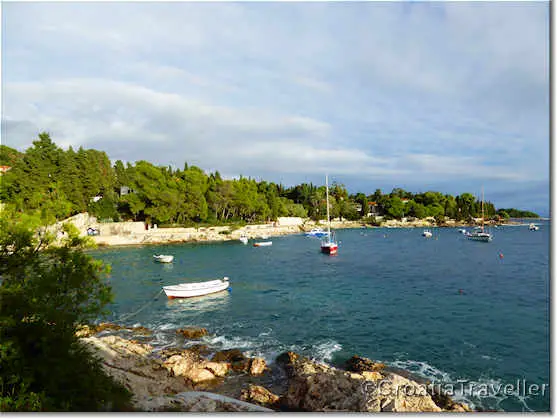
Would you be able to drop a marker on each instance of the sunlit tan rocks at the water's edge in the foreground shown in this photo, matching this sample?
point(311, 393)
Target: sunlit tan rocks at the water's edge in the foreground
point(199, 379)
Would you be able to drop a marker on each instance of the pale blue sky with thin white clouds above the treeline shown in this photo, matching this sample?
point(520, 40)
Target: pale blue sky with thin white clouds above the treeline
point(445, 96)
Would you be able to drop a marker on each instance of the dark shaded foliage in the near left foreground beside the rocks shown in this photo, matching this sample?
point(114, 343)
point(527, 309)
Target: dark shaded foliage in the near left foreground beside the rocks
point(45, 293)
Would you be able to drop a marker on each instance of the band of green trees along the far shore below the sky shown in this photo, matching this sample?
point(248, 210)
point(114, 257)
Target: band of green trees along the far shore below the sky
point(60, 183)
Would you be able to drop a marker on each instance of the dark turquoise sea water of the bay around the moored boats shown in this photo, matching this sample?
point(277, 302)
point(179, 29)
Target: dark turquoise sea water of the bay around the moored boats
point(471, 317)
